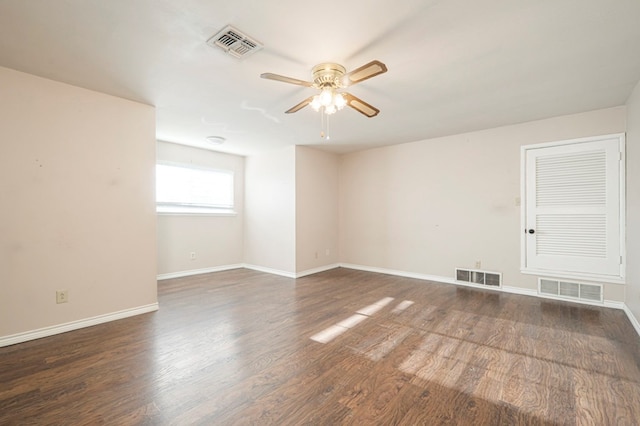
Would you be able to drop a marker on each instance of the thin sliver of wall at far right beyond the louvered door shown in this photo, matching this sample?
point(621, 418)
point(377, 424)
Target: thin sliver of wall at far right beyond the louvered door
point(633, 203)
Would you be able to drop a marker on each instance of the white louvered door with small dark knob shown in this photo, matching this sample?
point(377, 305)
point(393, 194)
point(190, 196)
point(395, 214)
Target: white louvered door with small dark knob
point(572, 208)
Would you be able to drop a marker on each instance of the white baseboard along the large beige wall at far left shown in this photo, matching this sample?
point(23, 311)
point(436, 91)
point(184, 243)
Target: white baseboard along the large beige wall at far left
point(75, 325)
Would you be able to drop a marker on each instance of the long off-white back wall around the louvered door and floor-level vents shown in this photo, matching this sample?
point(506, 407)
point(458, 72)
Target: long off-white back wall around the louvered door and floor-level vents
point(430, 206)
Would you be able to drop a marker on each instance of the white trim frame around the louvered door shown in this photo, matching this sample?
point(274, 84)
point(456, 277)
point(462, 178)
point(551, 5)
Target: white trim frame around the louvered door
point(619, 278)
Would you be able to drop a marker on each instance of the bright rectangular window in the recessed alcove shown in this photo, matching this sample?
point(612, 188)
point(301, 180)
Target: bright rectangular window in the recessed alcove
point(186, 189)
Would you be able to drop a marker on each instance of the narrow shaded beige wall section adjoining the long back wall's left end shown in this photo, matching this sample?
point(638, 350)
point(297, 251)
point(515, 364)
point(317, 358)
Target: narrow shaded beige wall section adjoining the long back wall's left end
point(316, 209)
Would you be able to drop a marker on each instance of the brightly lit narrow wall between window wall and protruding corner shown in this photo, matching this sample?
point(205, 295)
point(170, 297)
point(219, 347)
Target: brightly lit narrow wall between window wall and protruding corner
point(270, 207)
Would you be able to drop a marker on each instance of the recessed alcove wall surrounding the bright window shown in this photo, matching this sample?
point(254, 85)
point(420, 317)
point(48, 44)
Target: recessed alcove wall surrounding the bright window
point(216, 240)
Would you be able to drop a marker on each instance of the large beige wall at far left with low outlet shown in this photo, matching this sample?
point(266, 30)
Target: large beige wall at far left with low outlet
point(77, 203)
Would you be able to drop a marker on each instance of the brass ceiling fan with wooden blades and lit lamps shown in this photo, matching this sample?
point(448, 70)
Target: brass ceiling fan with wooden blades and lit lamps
point(330, 78)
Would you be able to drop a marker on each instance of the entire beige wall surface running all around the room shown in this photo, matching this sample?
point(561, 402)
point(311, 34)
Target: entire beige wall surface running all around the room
point(78, 211)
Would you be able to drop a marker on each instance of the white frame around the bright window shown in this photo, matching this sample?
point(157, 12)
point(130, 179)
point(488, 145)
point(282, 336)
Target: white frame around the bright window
point(180, 208)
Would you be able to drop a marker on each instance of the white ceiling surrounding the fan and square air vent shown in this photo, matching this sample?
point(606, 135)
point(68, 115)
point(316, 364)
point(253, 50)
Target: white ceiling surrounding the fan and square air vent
point(454, 65)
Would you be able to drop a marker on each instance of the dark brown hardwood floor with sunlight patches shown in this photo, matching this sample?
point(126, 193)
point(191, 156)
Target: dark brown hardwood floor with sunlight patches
point(339, 347)
